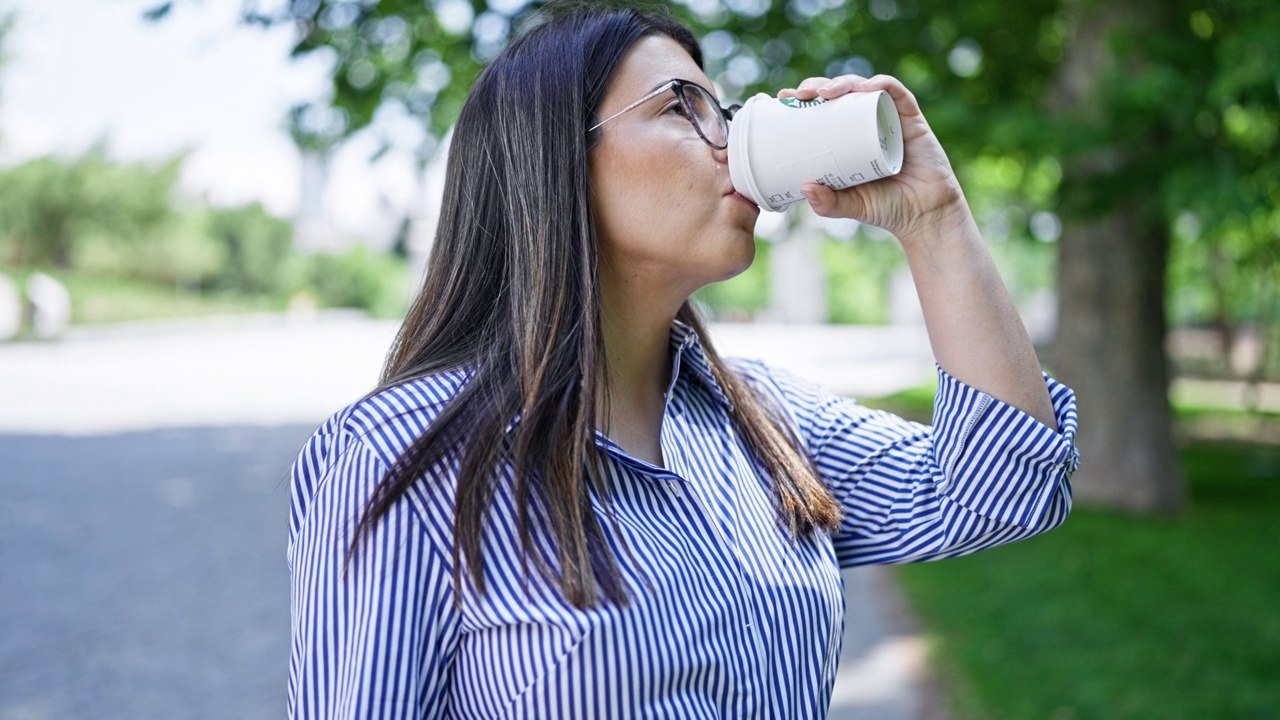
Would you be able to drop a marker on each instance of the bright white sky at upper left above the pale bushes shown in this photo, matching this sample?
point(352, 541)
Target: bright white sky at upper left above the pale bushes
point(79, 71)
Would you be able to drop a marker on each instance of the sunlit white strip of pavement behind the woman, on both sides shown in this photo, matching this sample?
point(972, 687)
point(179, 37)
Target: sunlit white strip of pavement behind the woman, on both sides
point(280, 370)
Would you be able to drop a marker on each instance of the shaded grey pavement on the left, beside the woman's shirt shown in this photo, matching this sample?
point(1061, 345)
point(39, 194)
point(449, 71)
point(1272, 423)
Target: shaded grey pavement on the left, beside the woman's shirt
point(144, 575)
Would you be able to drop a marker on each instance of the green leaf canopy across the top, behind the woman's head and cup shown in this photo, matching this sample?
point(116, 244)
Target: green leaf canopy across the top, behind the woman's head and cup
point(1183, 125)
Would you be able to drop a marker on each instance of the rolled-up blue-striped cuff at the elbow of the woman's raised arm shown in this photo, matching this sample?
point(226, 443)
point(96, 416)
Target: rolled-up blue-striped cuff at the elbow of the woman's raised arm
point(999, 462)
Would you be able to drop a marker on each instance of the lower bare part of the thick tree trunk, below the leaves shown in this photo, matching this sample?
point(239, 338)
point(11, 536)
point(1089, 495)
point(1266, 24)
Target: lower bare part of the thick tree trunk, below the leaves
point(1110, 349)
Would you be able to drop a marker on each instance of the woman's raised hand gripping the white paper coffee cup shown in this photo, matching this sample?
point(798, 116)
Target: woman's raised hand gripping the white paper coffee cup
point(918, 200)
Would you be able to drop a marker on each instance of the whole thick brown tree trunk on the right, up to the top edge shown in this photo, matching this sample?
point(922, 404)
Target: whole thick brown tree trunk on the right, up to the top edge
point(1110, 345)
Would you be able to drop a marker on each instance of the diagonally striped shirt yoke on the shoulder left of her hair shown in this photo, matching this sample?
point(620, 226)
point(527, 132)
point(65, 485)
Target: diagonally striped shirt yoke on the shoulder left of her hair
point(390, 420)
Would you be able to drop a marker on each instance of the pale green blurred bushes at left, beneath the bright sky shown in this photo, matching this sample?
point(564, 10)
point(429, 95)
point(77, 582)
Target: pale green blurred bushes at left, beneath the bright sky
point(121, 235)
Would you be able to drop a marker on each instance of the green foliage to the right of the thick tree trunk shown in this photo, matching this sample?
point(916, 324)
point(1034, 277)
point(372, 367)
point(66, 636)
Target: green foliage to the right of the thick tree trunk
point(1210, 92)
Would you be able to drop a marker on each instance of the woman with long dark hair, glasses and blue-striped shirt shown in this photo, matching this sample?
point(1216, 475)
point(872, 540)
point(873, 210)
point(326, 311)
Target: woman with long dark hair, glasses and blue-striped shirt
point(561, 502)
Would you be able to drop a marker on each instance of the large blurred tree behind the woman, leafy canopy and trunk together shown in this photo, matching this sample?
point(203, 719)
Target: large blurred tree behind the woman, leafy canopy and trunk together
point(1141, 138)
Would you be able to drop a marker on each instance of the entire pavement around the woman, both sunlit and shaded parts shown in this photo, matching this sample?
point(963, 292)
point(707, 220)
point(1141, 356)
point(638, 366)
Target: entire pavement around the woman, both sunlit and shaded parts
point(143, 522)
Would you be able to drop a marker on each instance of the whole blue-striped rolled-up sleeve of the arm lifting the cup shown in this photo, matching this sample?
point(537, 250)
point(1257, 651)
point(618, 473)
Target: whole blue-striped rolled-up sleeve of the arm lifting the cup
point(984, 475)
